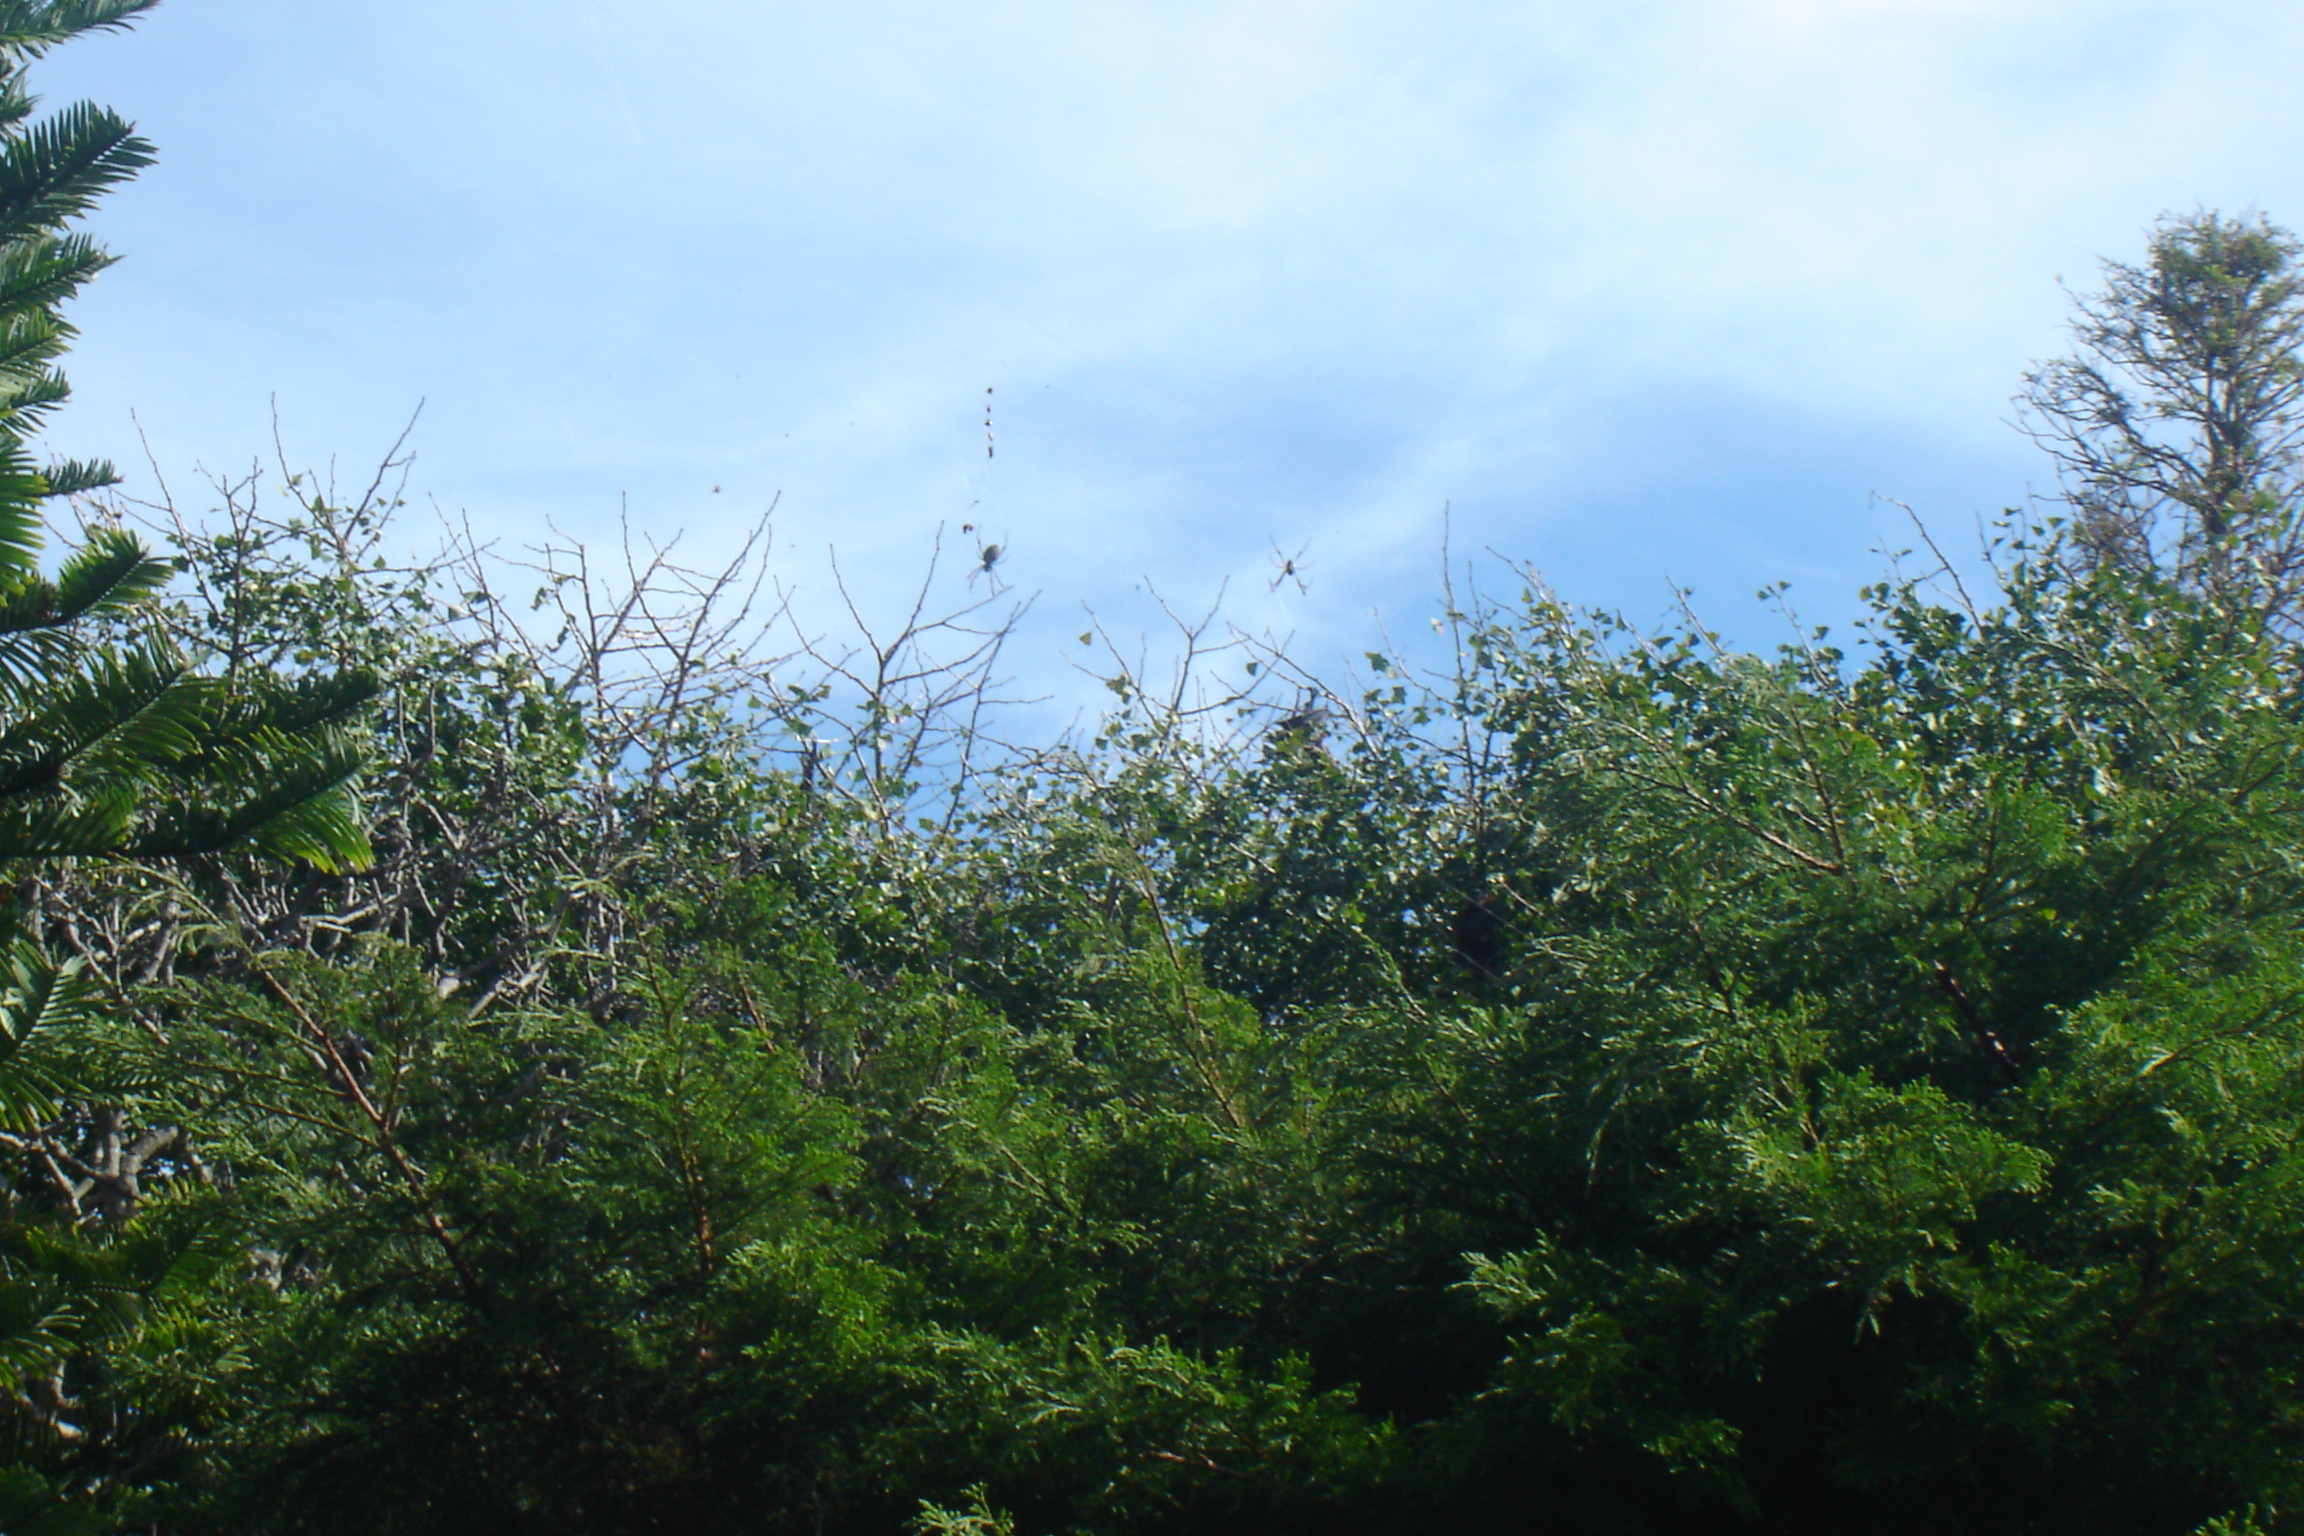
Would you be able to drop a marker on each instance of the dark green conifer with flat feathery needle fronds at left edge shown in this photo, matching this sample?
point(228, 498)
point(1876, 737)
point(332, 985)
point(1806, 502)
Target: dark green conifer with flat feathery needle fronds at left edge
point(112, 743)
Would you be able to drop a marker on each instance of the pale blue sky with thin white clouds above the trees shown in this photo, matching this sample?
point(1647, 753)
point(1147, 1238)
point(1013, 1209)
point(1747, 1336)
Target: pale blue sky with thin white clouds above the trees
point(1646, 291)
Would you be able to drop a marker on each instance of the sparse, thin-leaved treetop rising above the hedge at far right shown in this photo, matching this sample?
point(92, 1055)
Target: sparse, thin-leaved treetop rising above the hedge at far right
point(2178, 423)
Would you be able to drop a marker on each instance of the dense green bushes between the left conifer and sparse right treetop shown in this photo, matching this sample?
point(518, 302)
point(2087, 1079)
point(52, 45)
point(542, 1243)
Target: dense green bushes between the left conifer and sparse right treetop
point(1872, 1109)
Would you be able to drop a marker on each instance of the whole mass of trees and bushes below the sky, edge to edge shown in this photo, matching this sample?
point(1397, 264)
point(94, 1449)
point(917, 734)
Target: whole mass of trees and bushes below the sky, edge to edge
point(473, 1072)
